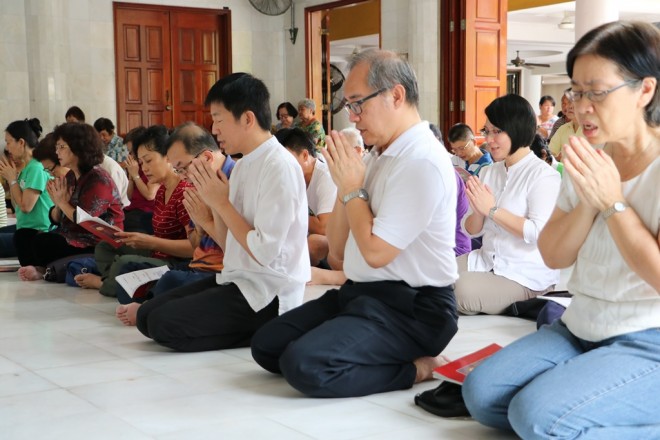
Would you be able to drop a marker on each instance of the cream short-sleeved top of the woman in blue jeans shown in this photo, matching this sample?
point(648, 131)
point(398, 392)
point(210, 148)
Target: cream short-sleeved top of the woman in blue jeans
point(609, 299)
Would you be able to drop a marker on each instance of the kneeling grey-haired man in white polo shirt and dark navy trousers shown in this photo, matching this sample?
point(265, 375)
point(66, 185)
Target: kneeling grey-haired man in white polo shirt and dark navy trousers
point(384, 329)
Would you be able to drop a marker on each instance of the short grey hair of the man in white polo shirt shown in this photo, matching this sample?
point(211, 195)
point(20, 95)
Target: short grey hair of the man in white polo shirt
point(386, 70)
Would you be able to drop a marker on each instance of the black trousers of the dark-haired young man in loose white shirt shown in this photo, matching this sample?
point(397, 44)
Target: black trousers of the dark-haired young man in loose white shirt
point(202, 316)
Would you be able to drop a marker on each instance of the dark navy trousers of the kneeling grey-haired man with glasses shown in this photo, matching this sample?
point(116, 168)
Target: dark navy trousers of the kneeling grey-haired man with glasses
point(361, 339)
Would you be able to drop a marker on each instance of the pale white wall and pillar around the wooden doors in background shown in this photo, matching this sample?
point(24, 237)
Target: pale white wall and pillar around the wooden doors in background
point(58, 53)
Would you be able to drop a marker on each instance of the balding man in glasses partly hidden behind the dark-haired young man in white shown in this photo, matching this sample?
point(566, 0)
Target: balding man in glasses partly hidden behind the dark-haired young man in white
point(188, 142)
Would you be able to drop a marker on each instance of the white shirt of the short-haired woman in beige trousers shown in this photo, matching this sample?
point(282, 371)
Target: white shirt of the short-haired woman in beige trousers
point(527, 189)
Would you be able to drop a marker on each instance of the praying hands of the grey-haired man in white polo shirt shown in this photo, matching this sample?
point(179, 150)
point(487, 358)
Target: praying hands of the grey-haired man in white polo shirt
point(344, 163)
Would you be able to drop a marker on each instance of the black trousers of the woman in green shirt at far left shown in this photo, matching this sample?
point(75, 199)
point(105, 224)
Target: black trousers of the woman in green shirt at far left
point(36, 248)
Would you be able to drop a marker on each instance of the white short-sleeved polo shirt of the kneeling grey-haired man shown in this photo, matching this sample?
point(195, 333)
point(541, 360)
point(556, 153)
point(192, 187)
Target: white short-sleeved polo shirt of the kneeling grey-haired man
point(412, 191)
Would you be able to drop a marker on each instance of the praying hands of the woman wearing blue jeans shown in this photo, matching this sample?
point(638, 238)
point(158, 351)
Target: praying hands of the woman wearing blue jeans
point(594, 175)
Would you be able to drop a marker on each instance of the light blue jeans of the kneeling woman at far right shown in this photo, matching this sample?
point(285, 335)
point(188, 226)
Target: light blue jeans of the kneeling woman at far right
point(552, 384)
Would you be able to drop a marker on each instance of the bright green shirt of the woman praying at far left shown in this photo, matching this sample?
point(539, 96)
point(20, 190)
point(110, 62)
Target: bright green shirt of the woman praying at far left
point(34, 176)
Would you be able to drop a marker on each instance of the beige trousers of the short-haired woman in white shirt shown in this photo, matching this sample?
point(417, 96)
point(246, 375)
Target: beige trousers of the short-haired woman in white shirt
point(485, 292)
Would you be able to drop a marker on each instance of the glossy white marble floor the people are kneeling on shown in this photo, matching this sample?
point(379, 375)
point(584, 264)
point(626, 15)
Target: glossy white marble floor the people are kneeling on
point(68, 369)
